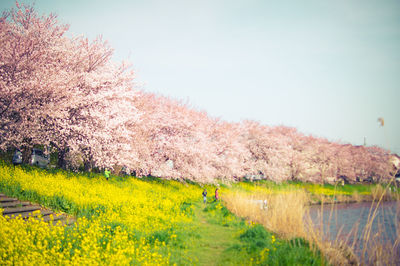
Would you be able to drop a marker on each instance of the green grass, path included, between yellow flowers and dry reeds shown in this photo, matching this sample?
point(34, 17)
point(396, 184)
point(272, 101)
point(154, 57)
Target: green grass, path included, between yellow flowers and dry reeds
point(220, 238)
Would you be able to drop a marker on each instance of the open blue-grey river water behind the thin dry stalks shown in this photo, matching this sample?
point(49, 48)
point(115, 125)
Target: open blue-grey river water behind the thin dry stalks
point(348, 222)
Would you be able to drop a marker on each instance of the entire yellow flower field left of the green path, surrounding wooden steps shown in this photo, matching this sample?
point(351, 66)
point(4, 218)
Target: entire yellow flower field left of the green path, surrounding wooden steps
point(115, 224)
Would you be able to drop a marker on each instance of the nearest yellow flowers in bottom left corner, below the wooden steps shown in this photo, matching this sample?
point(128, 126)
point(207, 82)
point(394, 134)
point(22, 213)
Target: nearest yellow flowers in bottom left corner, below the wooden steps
point(38, 243)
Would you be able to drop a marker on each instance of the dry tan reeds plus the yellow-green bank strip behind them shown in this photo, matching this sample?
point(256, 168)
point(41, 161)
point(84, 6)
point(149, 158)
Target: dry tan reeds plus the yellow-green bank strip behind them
point(287, 214)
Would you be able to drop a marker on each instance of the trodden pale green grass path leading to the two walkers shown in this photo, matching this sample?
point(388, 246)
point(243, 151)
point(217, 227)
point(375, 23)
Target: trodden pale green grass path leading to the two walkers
point(212, 239)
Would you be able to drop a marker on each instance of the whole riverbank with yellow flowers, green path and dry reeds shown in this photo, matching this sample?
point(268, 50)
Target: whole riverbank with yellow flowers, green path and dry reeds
point(165, 222)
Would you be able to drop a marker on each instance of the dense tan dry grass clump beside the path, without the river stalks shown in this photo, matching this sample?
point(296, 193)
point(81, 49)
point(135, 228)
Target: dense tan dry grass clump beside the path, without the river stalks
point(285, 216)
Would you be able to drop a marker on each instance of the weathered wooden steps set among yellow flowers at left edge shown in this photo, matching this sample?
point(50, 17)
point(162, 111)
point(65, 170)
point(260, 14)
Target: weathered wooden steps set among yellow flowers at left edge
point(12, 208)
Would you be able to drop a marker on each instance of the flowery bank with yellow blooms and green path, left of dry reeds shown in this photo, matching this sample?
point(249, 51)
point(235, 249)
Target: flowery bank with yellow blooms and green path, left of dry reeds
point(134, 221)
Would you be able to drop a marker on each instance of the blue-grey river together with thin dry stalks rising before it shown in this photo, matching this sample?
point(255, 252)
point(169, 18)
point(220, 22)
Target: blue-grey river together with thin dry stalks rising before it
point(371, 229)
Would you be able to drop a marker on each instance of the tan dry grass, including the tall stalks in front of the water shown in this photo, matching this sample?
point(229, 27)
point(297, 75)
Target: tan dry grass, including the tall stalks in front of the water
point(288, 216)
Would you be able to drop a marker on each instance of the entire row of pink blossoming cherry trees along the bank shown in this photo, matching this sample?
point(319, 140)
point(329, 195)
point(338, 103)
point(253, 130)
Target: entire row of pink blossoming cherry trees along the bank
point(66, 93)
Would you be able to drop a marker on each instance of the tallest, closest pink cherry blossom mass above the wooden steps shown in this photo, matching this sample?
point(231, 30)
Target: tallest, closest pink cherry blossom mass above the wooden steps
point(63, 91)
